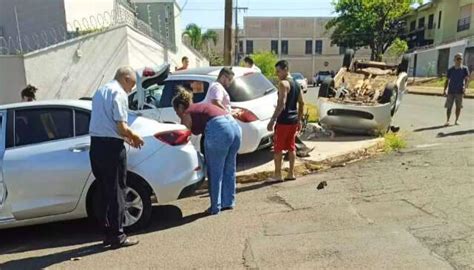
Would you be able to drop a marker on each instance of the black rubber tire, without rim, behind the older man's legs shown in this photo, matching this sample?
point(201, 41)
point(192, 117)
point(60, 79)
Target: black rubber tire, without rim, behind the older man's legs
point(135, 188)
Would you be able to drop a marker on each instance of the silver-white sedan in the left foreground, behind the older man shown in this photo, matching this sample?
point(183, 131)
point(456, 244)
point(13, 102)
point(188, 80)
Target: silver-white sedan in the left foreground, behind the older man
point(45, 172)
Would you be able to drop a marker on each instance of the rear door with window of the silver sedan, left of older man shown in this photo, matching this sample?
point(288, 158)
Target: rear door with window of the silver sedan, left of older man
point(46, 160)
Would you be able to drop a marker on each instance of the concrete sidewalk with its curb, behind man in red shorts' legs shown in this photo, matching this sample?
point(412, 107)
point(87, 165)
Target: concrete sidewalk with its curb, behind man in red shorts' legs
point(327, 153)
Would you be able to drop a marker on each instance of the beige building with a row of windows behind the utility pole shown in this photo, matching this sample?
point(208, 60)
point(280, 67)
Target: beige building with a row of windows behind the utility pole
point(303, 41)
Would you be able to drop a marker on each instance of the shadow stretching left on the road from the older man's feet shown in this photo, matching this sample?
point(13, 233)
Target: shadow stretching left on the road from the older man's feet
point(42, 262)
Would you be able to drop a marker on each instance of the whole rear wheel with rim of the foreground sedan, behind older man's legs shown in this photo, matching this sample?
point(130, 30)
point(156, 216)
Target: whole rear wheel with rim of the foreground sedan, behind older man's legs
point(137, 205)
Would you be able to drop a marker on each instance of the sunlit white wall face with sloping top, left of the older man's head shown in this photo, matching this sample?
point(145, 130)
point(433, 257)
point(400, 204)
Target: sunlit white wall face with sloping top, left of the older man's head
point(76, 68)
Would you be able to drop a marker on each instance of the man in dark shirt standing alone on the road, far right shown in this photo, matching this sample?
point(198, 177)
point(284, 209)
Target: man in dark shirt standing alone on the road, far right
point(455, 87)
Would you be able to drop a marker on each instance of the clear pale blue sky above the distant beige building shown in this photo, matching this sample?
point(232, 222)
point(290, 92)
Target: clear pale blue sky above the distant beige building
point(210, 13)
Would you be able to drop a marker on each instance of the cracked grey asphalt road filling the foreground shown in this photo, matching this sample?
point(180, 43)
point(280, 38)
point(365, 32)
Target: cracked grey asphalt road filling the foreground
point(408, 210)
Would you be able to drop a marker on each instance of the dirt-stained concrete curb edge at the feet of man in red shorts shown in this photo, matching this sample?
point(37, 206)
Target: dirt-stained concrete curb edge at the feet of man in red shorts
point(310, 166)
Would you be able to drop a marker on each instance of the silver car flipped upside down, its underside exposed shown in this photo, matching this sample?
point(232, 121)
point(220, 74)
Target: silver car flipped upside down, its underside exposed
point(363, 96)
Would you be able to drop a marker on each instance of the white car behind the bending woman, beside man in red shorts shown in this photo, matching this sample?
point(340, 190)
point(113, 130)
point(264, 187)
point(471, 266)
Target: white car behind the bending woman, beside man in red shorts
point(253, 95)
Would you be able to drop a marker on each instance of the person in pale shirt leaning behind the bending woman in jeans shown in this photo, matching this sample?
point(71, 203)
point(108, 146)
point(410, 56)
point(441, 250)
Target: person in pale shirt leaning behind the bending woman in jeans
point(217, 94)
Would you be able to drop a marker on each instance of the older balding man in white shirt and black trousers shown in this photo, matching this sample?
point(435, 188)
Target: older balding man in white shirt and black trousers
point(109, 129)
